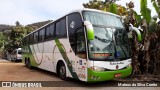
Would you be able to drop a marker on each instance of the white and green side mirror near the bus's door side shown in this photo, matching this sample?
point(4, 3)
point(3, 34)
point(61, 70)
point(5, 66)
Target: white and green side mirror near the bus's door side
point(90, 32)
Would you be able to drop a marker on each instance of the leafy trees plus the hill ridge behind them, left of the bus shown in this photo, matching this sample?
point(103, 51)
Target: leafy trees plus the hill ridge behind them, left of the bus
point(11, 36)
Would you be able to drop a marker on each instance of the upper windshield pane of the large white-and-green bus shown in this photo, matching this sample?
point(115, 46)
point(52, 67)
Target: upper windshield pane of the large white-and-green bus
point(102, 19)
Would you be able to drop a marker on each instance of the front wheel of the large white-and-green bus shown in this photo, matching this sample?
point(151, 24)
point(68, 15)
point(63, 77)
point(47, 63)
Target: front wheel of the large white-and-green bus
point(62, 71)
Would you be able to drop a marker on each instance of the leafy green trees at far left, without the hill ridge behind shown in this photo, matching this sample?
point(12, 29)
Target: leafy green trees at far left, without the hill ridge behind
point(13, 38)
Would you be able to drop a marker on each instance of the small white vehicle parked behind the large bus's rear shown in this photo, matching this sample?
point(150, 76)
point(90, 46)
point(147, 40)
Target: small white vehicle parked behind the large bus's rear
point(16, 55)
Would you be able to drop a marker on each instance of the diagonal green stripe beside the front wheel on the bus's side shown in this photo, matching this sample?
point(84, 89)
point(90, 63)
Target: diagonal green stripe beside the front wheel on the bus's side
point(65, 57)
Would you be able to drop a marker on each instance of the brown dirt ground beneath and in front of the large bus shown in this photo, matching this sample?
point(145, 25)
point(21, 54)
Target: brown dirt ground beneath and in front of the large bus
point(16, 71)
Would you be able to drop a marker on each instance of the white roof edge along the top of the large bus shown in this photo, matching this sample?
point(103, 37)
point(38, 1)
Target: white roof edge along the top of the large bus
point(74, 11)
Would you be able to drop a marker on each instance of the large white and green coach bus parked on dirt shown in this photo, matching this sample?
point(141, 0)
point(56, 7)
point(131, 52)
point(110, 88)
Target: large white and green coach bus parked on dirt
point(86, 44)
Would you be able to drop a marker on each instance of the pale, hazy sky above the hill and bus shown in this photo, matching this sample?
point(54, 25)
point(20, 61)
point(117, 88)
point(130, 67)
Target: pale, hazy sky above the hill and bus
point(31, 11)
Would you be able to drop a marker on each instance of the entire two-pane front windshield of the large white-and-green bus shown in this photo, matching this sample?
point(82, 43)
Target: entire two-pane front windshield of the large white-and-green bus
point(111, 41)
